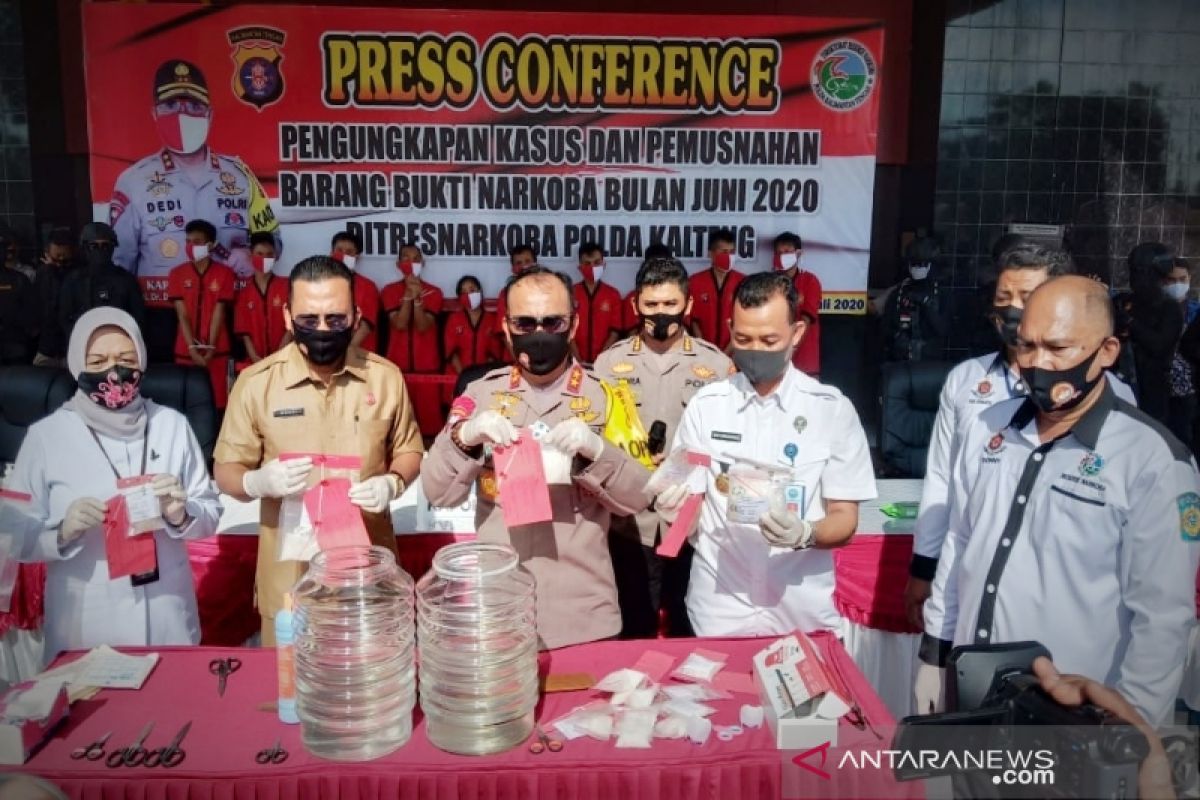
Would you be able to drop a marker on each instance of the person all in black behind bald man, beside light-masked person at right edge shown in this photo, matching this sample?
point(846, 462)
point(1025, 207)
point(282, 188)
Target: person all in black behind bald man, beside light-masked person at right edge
point(1150, 323)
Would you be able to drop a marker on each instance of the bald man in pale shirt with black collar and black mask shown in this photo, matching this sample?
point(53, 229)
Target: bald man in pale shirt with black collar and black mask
point(1075, 519)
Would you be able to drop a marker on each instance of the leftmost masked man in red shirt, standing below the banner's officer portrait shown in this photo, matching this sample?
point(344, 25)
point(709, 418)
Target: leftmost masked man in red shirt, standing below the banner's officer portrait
point(202, 292)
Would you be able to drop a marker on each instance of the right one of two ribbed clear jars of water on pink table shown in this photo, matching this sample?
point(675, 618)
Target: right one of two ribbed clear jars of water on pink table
point(478, 640)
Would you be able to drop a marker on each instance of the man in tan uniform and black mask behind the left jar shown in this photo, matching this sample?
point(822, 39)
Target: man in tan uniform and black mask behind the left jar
point(316, 396)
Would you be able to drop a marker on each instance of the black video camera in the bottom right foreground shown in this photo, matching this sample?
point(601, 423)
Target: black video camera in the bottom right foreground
point(1001, 729)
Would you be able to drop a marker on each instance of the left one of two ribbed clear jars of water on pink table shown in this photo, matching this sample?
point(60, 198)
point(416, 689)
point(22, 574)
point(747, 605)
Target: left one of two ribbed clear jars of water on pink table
point(355, 647)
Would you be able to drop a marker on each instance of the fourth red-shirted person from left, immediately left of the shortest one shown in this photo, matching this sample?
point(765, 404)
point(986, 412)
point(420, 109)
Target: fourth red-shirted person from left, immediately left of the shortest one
point(413, 308)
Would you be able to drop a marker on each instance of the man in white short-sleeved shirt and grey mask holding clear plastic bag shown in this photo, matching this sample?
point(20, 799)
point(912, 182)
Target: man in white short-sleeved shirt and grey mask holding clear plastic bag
point(764, 563)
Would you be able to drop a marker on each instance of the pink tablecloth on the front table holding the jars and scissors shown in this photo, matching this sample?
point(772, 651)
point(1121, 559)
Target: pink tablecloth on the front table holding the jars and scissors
point(229, 732)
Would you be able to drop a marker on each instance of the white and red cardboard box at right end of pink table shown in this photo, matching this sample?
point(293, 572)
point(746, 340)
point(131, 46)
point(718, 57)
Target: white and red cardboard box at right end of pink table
point(799, 700)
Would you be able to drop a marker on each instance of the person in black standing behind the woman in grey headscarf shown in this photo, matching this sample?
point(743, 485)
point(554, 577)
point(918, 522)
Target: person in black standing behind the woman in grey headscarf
point(99, 282)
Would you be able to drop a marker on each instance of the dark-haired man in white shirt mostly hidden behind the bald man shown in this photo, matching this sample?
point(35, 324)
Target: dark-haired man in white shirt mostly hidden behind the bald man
point(973, 387)
